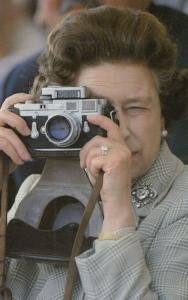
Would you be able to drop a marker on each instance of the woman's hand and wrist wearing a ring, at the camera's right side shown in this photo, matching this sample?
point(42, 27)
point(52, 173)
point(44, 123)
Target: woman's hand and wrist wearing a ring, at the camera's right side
point(116, 165)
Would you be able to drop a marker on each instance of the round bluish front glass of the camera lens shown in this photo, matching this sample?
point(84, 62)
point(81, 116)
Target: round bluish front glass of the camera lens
point(58, 128)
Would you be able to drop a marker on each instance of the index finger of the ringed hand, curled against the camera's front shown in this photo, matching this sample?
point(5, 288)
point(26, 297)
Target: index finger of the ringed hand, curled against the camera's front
point(113, 130)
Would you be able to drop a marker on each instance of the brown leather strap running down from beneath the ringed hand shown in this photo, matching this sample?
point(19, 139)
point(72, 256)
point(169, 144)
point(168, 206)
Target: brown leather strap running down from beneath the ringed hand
point(79, 237)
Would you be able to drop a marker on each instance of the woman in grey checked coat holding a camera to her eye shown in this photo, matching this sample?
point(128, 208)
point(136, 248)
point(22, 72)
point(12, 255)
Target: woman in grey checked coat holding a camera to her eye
point(128, 58)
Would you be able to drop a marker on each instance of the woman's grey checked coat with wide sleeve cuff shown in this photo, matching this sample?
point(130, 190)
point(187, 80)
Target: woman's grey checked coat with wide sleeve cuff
point(148, 263)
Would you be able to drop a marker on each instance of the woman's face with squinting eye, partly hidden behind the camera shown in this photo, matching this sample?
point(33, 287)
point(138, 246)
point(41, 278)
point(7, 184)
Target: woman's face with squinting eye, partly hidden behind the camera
point(132, 90)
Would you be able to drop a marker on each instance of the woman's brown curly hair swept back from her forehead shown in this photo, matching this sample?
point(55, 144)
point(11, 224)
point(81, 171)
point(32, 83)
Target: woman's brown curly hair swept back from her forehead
point(107, 34)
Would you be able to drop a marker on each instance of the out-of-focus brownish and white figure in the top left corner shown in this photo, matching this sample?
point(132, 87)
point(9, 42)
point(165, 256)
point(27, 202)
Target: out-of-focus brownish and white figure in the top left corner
point(19, 36)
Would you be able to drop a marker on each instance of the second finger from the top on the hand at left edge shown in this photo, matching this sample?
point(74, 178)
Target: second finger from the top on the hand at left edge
point(14, 121)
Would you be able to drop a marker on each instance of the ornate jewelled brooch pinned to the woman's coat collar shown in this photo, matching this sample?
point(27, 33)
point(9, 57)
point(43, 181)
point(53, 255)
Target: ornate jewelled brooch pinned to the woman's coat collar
point(143, 195)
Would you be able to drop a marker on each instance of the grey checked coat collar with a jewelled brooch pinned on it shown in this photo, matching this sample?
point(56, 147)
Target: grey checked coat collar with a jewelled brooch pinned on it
point(149, 190)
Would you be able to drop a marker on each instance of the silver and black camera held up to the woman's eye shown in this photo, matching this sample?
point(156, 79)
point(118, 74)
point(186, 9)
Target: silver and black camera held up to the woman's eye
point(58, 121)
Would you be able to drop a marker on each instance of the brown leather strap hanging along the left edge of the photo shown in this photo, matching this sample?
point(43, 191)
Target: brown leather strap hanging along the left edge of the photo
point(4, 291)
